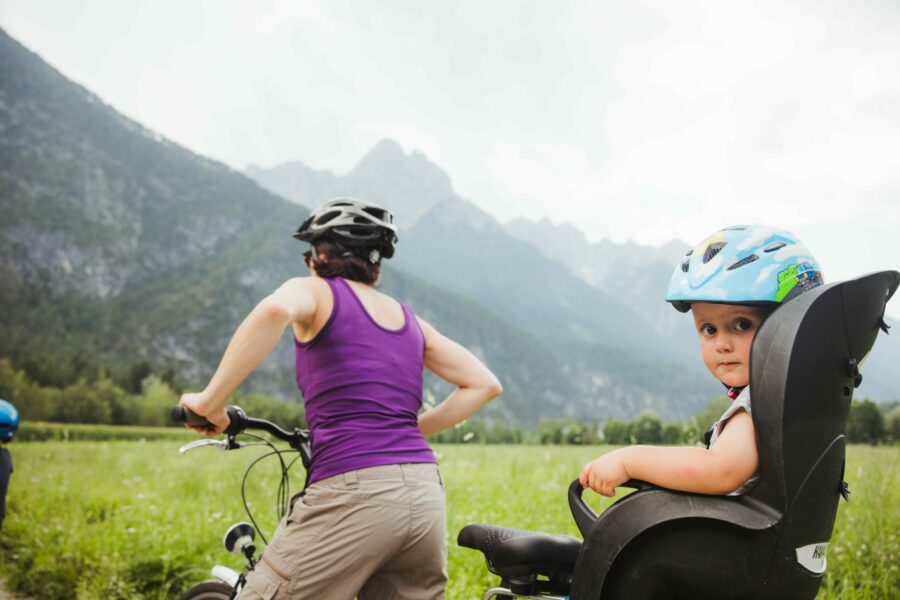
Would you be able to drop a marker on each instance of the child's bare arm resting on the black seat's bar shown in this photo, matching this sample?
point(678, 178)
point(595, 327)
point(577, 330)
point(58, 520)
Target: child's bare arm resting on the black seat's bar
point(717, 470)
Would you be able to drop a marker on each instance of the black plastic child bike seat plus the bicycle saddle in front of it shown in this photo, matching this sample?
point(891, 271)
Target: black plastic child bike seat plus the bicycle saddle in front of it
point(771, 542)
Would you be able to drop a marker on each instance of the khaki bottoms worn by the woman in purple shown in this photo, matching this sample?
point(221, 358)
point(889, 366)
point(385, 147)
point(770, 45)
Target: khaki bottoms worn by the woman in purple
point(377, 533)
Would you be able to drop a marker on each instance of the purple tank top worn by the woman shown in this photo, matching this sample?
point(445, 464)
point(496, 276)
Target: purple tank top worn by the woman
point(362, 386)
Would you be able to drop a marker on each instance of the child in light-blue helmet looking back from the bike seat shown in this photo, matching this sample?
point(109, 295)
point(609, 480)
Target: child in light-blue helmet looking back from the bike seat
point(730, 282)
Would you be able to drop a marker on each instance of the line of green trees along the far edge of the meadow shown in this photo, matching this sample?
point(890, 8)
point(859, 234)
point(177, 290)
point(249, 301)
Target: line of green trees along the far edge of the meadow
point(141, 396)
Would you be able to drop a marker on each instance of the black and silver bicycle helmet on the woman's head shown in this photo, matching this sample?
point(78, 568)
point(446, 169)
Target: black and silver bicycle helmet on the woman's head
point(353, 223)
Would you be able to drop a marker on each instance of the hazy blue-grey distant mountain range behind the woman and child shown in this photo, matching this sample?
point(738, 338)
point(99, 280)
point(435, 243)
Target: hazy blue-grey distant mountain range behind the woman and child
point(597, 307)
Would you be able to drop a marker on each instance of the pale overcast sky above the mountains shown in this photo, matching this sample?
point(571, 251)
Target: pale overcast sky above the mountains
point(633, 120)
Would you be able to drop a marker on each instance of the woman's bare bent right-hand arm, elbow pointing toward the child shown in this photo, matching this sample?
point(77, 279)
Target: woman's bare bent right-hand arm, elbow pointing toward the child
point(476, 385)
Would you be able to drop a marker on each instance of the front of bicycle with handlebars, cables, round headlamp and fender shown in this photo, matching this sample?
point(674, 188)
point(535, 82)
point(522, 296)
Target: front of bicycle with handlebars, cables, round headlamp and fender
point(239, 538)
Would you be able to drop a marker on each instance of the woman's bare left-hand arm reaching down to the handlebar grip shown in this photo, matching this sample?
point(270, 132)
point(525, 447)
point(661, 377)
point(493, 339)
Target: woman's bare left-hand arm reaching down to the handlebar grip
point(253, 341)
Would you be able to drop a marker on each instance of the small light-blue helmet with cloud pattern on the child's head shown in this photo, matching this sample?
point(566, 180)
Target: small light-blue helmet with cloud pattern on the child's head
point(745, 264)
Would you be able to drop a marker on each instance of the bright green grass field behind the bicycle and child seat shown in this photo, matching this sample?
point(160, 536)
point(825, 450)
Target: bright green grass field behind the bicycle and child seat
point(118, 519)
